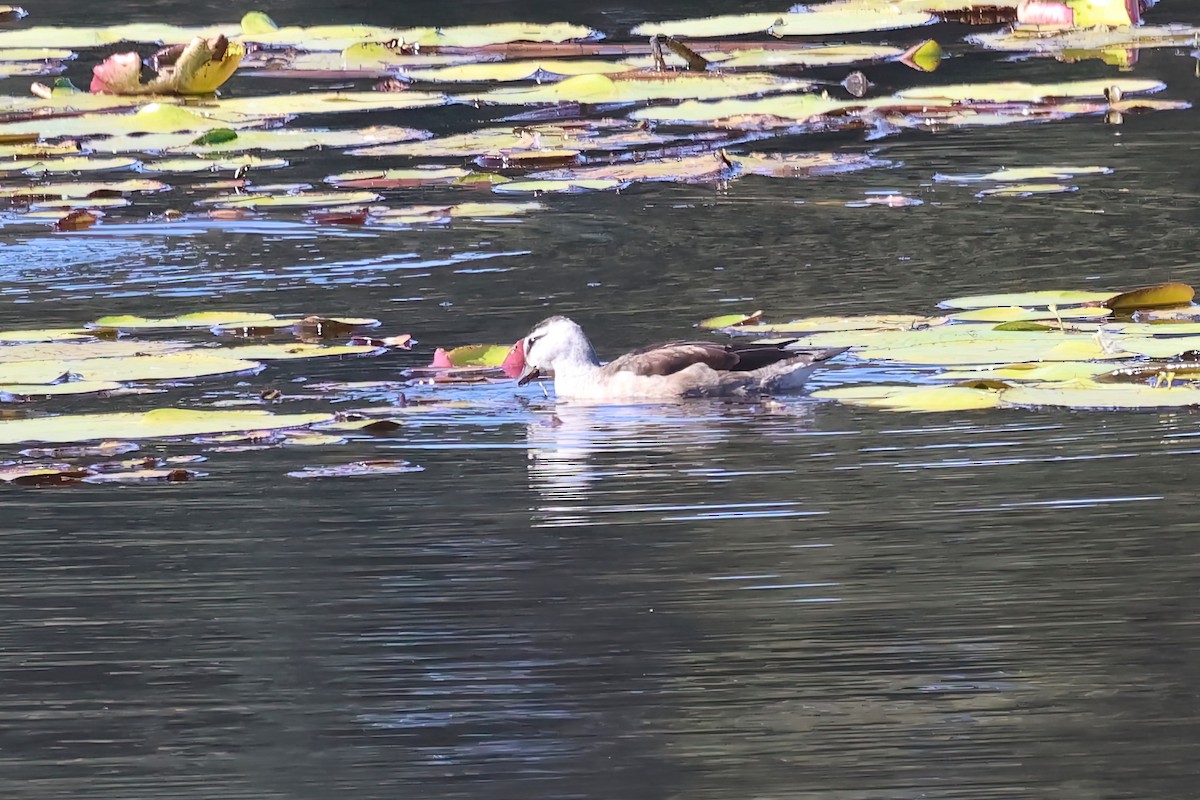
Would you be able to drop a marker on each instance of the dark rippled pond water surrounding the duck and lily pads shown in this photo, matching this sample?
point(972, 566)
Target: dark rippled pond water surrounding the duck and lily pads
point(796, 600)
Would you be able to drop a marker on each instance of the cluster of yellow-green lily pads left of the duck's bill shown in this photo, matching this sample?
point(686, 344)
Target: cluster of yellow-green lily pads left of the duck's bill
point(123, 357)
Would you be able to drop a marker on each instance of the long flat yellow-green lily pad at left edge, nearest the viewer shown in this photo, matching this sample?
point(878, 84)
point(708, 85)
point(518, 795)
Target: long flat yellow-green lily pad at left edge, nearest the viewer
point(166, 423)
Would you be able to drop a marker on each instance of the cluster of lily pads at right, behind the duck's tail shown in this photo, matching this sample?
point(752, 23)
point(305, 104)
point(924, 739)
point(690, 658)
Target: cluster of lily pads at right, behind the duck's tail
point(1072, 350)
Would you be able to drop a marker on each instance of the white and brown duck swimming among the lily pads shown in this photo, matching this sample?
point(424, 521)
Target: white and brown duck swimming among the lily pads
point(661, 372)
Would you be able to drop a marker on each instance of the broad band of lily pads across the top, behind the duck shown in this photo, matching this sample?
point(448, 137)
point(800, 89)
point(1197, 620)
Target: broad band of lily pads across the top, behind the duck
point(691, 100)
